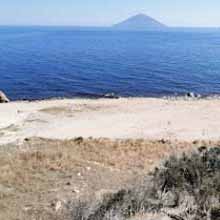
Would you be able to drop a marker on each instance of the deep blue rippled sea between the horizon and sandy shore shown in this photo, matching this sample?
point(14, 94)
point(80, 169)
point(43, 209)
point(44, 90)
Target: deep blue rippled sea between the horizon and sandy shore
point(48, 62)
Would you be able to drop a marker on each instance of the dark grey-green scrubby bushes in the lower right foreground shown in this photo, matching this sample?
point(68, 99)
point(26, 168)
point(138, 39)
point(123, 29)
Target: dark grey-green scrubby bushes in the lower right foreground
point(184, 188)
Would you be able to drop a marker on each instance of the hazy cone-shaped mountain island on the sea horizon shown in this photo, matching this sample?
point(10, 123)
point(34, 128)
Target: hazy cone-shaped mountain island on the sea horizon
point(139, 22)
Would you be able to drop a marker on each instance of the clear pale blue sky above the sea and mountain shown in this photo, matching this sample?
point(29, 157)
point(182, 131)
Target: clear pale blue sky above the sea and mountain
point(107, 12)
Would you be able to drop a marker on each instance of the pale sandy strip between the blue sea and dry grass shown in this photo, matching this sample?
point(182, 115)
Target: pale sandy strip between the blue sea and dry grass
point(147, 118)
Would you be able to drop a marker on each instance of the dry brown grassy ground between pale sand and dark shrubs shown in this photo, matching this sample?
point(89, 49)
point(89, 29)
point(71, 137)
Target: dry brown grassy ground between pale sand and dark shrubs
point(40, 177)
